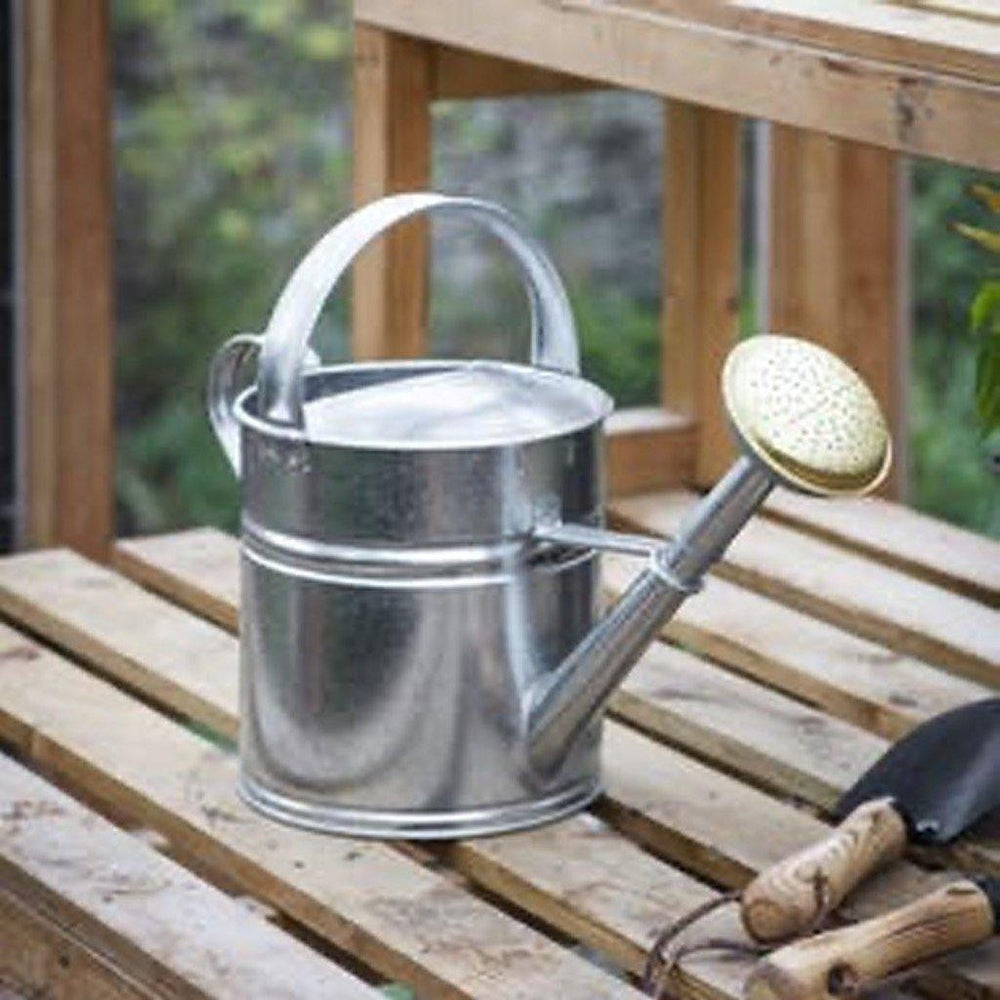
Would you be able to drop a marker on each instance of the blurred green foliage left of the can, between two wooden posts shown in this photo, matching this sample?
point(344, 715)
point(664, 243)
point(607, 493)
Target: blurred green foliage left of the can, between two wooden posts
point(230, 159)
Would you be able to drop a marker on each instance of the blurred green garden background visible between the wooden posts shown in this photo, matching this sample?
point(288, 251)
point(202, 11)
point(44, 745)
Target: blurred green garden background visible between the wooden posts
point(233, 140)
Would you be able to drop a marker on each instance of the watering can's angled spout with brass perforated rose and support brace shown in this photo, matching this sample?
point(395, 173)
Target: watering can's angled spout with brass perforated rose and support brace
point(805, 420)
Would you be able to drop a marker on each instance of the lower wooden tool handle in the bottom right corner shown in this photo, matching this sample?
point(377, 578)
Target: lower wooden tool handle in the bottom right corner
point(842, 963)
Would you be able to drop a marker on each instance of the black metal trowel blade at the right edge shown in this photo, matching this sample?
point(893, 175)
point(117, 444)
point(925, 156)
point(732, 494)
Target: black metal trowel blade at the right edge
point(943, 776)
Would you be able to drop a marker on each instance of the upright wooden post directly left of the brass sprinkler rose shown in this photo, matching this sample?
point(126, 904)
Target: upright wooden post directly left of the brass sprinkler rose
point(701, 252)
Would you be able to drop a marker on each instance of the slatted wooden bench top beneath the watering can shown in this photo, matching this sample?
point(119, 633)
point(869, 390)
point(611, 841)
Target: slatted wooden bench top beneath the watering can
point(727, 746)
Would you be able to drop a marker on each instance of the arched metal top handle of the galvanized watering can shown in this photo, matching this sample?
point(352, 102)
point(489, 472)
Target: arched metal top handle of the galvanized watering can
point(284, 344)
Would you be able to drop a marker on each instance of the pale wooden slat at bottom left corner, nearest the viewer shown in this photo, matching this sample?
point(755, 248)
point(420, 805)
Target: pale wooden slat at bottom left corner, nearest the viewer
point(117, 897)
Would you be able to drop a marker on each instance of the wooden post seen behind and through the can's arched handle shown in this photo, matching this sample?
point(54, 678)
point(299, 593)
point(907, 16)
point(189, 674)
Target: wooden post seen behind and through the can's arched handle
point(392, 94)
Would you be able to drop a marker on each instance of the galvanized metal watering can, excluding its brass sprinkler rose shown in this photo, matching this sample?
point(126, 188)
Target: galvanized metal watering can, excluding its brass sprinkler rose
point(422, 652)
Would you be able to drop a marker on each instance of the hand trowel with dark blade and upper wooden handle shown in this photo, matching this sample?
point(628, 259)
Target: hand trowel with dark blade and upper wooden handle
point(927, 789)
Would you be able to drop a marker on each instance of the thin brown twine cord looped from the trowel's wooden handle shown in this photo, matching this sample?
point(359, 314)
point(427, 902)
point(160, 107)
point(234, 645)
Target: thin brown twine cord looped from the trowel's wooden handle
point(660, 963)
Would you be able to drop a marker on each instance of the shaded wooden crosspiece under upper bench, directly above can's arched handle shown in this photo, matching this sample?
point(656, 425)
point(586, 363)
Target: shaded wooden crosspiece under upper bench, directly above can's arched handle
point(459, 73)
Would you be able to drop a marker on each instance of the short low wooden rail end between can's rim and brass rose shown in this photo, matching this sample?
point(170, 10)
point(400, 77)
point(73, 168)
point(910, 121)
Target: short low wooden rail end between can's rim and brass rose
point(648, 445)
